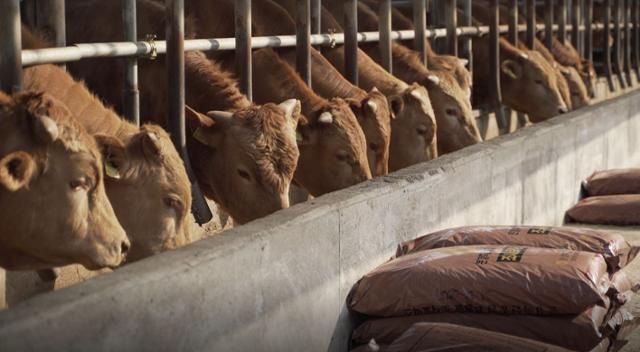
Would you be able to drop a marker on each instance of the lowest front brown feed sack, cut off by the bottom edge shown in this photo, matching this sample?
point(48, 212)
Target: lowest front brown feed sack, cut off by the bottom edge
point(453, 338)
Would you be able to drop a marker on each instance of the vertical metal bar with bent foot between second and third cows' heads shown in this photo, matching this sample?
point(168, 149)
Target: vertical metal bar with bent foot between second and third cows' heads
point(176, 100)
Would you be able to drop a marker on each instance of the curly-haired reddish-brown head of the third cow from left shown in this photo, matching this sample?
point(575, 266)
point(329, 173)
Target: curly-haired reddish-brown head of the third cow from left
point(245, 160)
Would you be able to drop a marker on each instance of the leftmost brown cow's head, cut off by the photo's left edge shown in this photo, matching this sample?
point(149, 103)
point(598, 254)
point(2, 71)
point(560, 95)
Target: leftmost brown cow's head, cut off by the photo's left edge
point(54, 207)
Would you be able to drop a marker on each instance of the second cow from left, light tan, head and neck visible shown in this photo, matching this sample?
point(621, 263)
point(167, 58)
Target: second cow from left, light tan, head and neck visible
point(153, 210)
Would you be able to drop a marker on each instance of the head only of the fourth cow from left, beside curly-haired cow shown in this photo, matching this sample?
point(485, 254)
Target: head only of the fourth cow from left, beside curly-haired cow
point(333, 150)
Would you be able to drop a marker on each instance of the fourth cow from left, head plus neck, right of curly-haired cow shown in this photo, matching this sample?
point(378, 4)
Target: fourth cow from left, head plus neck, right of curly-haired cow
point(332, 144)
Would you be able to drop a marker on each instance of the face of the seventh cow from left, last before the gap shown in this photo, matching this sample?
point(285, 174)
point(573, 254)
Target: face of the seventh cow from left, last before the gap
point(456, 125)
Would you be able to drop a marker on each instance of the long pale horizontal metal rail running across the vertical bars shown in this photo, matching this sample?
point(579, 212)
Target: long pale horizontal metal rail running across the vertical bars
point(128, 49)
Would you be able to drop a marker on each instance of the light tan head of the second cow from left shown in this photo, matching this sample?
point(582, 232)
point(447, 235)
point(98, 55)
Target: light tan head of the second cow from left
point(148, 187)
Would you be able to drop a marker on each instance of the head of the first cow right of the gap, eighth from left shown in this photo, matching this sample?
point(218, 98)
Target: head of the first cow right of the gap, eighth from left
point(530, 85)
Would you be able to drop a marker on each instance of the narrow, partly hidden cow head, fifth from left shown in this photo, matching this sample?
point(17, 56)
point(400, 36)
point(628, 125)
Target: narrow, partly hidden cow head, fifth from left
point(374, 117)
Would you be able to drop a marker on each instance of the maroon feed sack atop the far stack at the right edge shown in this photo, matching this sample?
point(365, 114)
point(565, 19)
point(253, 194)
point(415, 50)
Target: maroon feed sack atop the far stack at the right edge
point(610, 182)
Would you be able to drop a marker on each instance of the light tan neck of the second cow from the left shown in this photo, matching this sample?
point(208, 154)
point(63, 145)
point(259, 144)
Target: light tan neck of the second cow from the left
point(84, 106)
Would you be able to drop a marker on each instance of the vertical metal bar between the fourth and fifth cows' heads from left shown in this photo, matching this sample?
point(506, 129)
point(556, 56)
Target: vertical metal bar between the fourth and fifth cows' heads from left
point(351, 40)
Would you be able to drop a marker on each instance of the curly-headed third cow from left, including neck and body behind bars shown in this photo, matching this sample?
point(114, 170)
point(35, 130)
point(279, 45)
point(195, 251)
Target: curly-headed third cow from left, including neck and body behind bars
point(244, 162)
